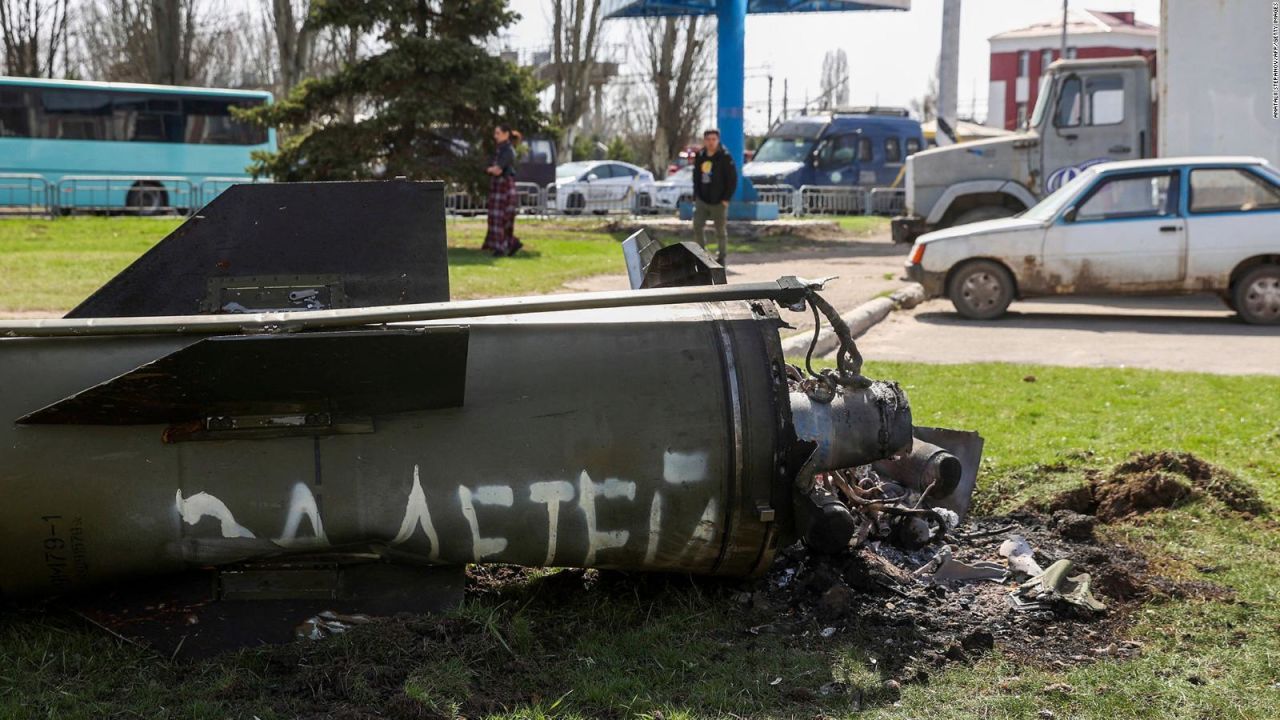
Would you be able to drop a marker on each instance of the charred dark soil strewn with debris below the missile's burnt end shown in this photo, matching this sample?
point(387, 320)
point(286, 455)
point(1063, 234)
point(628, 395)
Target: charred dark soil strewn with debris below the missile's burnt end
point(916, 630)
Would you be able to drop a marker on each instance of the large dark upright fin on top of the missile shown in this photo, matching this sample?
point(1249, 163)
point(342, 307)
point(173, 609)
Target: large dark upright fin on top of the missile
point(396, 257)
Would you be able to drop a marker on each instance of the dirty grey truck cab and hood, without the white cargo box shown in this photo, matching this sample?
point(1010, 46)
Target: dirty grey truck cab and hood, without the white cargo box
point(1089, 112)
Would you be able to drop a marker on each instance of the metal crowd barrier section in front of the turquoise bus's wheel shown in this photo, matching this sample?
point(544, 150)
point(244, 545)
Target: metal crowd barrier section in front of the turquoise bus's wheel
point(138, 195)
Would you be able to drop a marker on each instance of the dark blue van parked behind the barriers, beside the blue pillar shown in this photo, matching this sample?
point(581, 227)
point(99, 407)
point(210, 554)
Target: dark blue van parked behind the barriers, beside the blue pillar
point(861, 147)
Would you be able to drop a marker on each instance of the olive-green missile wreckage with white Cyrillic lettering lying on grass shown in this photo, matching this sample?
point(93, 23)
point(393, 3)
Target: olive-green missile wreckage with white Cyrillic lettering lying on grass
point(282, 394)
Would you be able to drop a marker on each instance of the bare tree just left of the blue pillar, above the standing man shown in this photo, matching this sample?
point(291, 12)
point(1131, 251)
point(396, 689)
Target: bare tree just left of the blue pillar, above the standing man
point(675, 56)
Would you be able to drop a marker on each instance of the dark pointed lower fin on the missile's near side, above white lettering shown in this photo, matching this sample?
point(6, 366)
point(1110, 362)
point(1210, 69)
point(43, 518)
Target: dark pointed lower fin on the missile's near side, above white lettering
point(289, 377)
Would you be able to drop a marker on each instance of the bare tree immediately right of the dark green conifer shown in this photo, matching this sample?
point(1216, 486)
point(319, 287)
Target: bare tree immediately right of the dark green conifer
point(575, 47)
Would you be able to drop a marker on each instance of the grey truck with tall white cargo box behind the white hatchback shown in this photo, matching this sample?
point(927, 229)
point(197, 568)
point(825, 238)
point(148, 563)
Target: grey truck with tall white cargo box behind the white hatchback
point(1091, 112)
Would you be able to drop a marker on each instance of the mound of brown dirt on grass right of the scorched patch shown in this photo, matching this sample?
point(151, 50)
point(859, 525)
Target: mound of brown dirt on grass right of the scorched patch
point(1150, 481)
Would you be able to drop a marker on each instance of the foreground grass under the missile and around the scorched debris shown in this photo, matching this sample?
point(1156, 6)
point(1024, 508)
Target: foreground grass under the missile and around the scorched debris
point(674, 649)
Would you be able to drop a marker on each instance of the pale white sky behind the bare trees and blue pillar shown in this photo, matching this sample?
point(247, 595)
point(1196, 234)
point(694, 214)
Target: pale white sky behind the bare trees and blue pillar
point(892, 54)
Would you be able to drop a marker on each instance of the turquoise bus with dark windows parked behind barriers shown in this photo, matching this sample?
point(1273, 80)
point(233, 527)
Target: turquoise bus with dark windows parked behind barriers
point(121, 147)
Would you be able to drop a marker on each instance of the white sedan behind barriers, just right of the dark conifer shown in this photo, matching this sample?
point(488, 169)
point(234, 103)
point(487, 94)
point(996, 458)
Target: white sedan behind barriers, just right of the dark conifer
point(601, 186)
